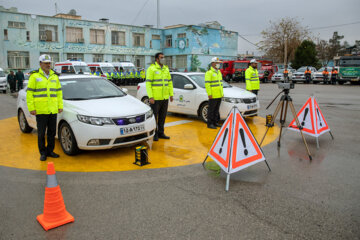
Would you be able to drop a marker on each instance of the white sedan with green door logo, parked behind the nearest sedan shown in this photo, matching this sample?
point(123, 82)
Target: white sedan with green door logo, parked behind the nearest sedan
point(190, 97)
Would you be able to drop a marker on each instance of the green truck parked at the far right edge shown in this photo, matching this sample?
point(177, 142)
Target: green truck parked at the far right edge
point(349, 69)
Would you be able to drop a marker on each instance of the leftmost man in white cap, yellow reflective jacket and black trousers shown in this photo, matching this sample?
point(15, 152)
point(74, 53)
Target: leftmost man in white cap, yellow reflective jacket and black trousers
point(44, 100)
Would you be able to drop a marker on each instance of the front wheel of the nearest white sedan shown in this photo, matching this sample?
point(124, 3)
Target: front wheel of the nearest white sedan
point(67, 139)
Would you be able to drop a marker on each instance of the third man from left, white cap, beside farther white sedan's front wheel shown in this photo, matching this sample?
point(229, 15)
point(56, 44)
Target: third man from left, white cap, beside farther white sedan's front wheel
point(215, 91)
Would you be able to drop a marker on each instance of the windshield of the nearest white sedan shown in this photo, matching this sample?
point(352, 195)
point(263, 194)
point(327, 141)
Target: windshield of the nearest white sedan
point(89, 88)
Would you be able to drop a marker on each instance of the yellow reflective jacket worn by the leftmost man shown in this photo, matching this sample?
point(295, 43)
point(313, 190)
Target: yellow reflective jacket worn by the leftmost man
point(44, 94)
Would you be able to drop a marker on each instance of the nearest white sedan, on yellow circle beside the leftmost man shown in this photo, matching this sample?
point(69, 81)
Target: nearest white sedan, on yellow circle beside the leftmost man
point(96, 115)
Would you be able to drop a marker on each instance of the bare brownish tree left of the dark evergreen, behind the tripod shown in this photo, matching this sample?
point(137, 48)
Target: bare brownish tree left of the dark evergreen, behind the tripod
point(283, 36)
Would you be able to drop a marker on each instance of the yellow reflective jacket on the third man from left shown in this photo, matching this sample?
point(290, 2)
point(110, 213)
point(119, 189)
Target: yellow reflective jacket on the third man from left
point(213, 83)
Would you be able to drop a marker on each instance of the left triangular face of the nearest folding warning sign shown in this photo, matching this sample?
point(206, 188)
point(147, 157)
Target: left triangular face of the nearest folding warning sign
point(220, 150)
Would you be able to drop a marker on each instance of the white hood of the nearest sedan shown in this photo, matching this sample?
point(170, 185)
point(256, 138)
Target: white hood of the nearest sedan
point(108, 107)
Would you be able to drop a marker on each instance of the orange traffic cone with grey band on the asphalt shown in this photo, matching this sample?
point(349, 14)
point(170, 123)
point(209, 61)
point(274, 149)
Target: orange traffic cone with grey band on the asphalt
point(55, 213)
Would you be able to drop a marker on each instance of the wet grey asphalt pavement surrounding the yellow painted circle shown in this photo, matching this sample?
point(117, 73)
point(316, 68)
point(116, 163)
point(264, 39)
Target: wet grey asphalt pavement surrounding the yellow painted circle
point(299, 199)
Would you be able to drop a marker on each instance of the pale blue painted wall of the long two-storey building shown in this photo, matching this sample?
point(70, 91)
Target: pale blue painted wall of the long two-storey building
point(202, 43)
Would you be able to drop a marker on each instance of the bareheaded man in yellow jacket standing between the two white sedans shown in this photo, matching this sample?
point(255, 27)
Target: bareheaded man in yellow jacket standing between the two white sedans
point(159, 88)
